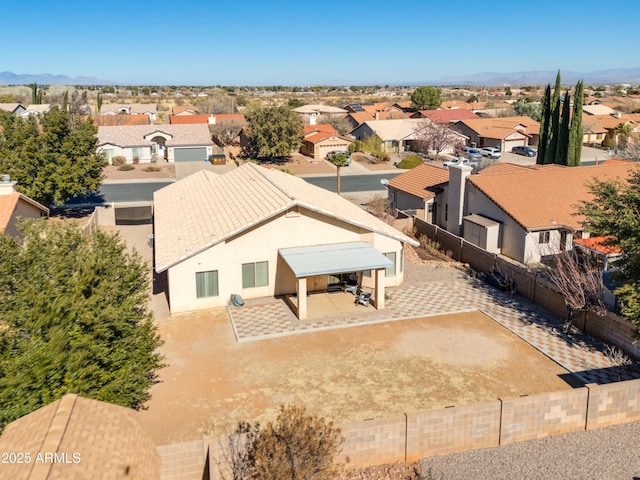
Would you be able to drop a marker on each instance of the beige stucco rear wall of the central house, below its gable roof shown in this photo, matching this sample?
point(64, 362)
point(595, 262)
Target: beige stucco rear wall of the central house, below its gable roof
point(296, 228)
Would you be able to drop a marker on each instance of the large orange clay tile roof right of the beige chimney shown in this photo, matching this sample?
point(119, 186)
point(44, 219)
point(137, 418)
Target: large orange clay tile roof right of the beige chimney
point(547, 196)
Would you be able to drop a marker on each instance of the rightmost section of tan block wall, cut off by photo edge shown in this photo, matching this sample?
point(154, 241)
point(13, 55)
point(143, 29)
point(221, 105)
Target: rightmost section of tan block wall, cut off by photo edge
point(613, 403)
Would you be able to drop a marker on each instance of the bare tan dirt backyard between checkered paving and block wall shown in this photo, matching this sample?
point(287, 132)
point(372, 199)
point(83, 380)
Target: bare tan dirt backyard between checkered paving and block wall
point(349, 374)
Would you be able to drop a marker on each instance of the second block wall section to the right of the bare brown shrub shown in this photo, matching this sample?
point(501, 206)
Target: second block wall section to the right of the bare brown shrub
point(453, 429)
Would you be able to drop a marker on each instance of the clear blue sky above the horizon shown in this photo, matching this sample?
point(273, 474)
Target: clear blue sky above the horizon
point(196, 42)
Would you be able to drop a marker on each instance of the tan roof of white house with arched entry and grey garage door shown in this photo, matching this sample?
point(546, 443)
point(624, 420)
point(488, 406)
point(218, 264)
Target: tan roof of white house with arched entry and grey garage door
point(133, 135)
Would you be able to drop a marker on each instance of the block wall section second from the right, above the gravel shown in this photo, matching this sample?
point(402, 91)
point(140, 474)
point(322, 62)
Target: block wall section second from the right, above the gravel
point(541, 415)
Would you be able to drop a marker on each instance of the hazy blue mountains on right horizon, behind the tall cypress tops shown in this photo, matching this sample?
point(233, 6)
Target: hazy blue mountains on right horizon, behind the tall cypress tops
point(598, 77)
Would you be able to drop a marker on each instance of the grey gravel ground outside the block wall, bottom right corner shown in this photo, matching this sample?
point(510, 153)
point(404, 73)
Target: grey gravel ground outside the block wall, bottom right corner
point(603, 454)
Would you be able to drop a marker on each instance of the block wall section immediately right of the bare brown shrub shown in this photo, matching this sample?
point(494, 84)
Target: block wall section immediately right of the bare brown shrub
point(374, 442)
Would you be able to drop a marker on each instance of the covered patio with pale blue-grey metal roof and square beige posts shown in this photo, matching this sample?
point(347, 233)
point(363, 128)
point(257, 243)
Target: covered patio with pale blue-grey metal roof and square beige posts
point(309, 263)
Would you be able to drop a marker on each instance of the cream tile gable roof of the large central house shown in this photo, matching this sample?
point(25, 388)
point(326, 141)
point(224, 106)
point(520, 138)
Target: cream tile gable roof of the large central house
point(204, 209)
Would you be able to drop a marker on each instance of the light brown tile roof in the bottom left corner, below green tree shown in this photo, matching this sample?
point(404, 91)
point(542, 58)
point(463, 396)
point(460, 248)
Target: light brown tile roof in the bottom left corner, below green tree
point(76, 437)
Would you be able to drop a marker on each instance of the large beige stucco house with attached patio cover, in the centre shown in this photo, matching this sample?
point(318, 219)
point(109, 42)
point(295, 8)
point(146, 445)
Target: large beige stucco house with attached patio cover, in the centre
point(259, 232)
